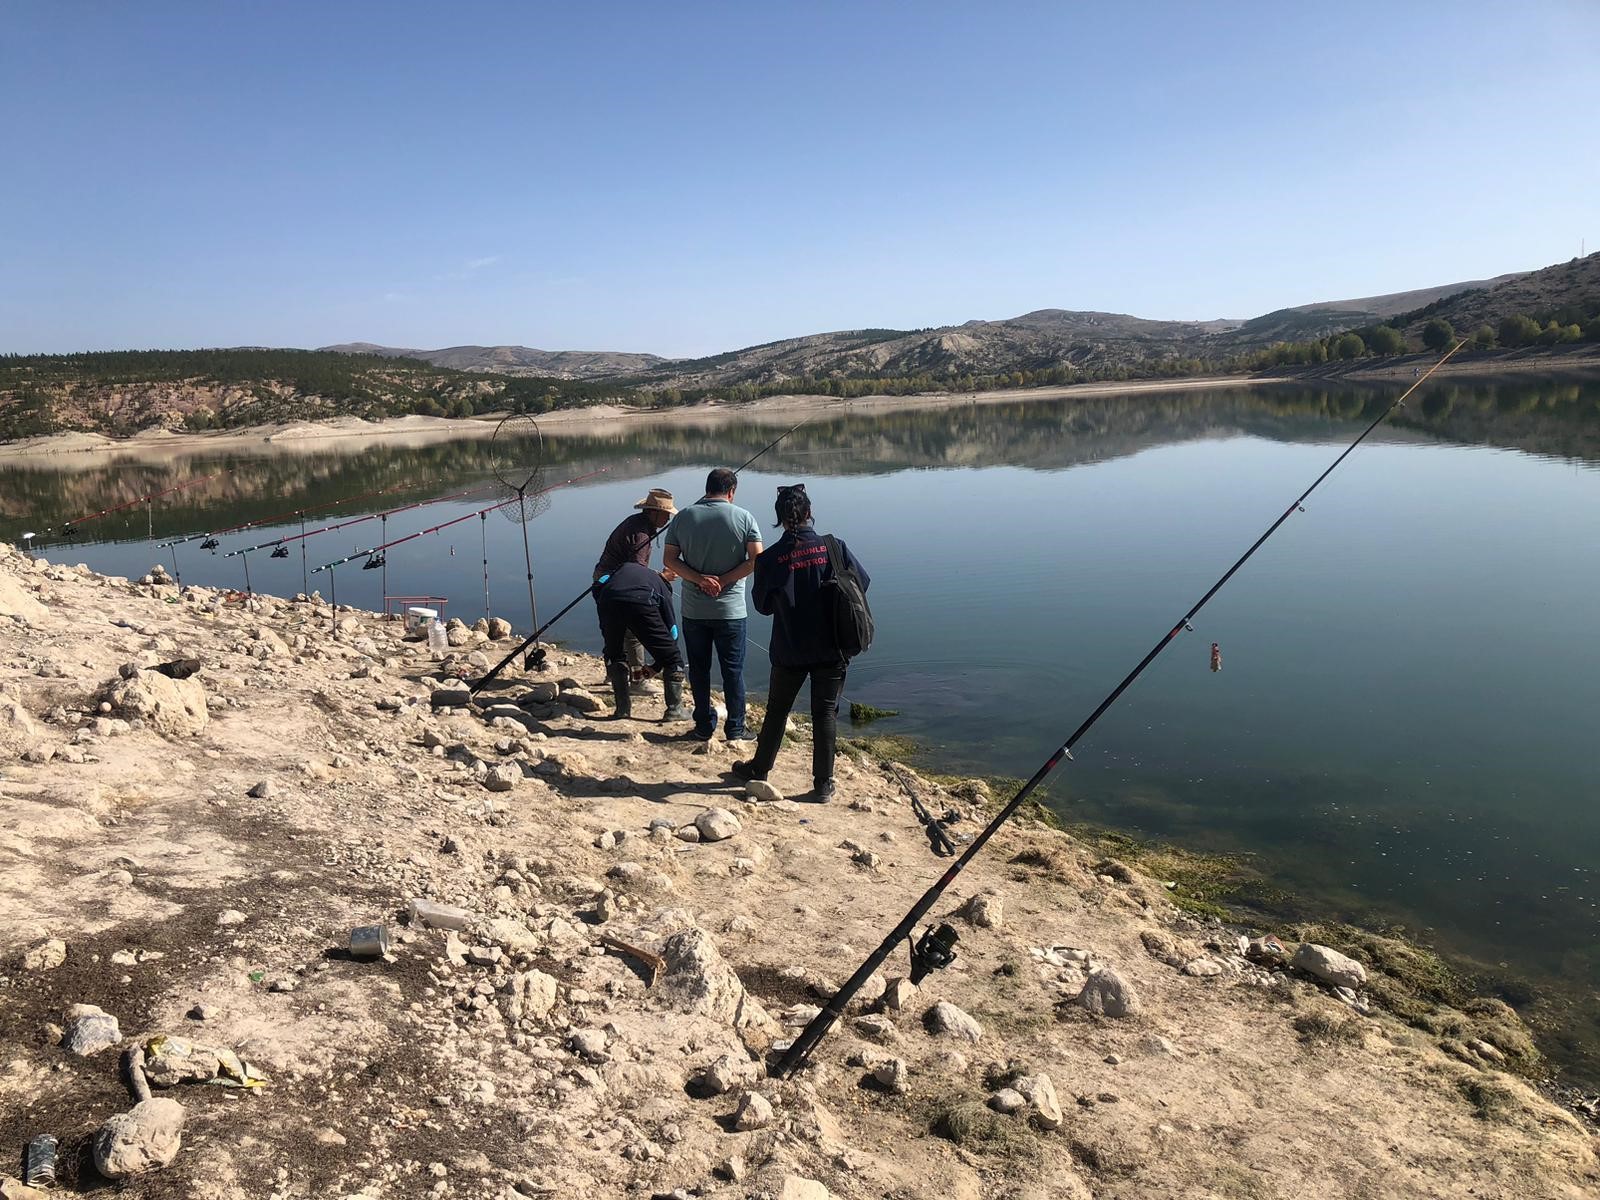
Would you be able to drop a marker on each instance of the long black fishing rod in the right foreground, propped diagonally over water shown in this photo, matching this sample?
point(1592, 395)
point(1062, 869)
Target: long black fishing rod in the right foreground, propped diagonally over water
point(935, 948)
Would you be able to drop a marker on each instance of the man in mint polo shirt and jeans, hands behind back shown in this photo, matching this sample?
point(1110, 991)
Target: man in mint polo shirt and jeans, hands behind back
point(714, 546)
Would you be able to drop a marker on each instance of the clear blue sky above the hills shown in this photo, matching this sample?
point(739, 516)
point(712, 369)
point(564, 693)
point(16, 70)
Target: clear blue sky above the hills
point(700, 177)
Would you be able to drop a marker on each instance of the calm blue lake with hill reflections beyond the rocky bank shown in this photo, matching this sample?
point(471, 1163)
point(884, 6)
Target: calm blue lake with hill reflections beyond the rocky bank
point(1404, 727)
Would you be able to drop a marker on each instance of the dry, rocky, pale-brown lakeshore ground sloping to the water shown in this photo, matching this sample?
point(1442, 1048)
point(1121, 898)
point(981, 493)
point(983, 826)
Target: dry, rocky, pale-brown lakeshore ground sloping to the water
point(598, 942)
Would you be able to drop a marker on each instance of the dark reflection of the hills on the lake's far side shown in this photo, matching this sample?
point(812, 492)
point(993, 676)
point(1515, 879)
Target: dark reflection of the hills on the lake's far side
point(1554, 418)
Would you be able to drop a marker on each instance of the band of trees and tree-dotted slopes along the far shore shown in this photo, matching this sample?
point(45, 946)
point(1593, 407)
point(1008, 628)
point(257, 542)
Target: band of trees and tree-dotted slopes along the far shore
point(266, 385)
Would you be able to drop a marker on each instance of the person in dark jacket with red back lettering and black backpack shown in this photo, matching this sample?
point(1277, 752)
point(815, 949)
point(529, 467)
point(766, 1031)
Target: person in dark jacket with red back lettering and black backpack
point(788, 586)
